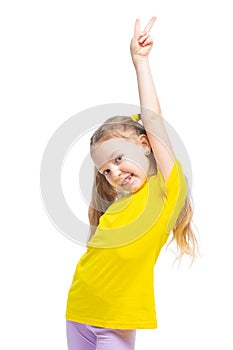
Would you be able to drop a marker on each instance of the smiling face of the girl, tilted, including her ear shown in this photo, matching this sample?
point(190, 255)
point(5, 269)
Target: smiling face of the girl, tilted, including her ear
point(123, 162)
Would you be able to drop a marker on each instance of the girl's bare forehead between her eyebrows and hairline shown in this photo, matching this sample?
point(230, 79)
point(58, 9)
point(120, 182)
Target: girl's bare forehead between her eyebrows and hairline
point(106, 150)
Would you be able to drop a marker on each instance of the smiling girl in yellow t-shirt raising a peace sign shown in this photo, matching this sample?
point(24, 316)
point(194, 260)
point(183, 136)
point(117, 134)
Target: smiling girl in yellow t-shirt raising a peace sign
point(139, 197)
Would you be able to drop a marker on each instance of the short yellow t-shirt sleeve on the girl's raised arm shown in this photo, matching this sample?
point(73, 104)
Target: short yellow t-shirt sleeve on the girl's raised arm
point(175, 194)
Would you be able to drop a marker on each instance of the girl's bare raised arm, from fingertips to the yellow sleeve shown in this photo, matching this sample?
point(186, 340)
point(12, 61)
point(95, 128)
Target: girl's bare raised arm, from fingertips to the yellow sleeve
point(151, 114)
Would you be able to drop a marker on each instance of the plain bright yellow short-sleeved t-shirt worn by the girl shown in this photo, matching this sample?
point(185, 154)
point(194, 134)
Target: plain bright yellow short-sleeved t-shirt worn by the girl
point(113, 284)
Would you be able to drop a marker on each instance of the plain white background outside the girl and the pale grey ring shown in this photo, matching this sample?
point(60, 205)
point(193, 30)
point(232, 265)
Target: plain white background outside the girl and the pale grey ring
point(61, 57)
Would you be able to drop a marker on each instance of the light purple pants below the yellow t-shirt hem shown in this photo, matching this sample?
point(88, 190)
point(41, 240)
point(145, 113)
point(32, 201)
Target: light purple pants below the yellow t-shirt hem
point(85, 337)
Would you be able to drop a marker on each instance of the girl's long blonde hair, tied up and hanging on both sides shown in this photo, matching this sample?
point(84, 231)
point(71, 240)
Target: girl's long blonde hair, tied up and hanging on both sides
point(104, 194)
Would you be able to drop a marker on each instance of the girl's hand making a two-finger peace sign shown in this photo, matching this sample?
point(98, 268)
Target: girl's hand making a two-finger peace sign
point(142, 43)
